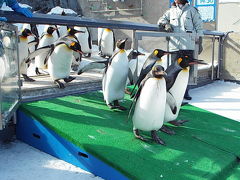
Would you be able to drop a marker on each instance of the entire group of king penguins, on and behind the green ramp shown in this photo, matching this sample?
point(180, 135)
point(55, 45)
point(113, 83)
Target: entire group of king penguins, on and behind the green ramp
point(157, 94)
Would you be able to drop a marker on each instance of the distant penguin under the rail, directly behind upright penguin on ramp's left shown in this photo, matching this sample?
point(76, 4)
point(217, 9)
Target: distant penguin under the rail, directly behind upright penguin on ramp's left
point(107, 43)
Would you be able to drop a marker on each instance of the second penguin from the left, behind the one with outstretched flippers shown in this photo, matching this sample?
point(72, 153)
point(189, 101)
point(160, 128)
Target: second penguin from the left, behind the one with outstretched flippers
point(46, 39)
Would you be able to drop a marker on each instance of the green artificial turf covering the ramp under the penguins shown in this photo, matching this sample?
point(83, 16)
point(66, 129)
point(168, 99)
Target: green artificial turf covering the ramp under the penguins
point(206, 147)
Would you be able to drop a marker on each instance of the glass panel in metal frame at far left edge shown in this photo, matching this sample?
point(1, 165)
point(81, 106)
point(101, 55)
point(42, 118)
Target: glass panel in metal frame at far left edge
point(9, 72)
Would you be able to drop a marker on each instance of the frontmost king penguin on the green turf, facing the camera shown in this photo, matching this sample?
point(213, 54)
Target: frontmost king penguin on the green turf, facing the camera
point(150, 101)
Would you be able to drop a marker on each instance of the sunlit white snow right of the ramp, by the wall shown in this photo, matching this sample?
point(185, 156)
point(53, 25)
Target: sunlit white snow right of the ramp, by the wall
point(220, 97)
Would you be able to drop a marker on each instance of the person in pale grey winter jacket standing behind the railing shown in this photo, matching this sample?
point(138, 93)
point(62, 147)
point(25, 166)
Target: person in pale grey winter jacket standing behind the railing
point(182, 17)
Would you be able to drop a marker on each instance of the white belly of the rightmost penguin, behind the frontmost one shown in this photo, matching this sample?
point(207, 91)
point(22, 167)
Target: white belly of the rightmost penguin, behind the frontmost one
point(177, 91)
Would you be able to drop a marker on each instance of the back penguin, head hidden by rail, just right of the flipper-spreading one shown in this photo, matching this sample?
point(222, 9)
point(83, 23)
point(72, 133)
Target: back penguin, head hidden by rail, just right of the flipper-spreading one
point(85, 40)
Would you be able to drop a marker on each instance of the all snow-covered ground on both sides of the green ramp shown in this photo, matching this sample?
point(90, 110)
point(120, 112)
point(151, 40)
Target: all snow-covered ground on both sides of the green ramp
point(19, 161)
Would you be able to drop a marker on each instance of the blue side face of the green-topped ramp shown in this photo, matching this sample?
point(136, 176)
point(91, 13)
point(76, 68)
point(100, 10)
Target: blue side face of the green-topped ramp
point(35, 134)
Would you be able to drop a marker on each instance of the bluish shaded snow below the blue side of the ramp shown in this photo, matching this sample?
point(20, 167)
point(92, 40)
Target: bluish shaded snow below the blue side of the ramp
point(19, 161)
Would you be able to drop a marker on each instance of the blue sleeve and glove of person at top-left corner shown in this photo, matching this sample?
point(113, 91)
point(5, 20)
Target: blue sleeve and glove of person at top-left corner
point(15, 6)
